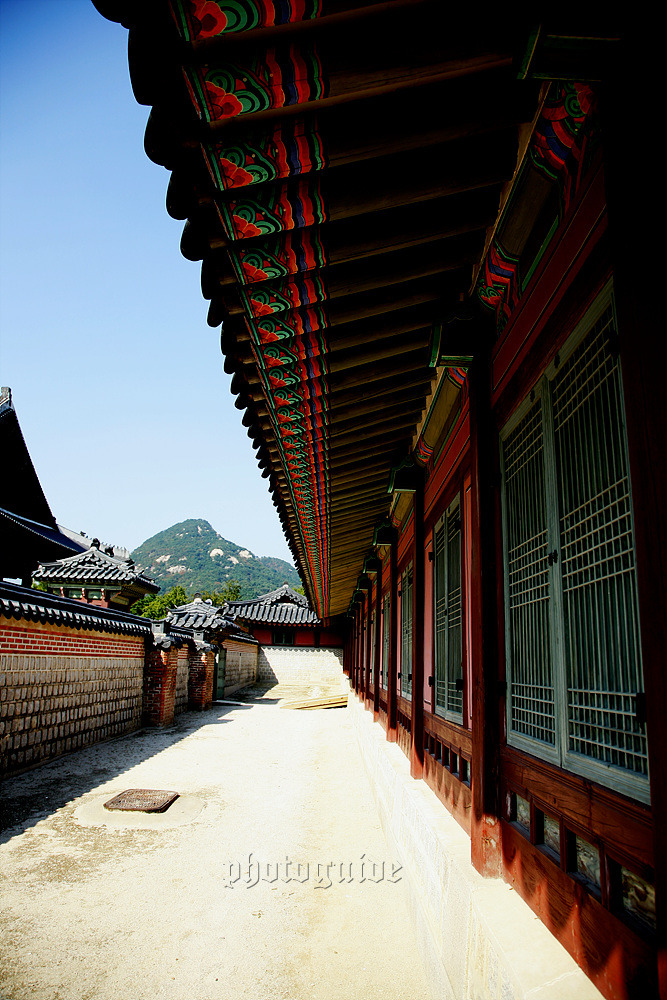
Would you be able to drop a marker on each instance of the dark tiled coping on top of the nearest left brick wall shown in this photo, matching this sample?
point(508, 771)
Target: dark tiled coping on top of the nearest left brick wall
point(26, 604)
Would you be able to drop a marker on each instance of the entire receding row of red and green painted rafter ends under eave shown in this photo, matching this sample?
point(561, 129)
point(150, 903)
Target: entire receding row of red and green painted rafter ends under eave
point(269, 182)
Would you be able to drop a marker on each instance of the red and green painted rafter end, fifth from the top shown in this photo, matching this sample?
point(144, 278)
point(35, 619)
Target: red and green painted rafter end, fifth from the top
point(293, 253)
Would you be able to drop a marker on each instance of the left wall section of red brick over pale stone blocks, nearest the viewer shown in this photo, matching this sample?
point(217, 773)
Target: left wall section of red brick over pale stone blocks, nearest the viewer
point(61, 689)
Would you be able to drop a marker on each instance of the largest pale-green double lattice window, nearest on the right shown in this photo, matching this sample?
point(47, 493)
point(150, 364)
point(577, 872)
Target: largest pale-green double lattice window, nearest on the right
point(574, 664)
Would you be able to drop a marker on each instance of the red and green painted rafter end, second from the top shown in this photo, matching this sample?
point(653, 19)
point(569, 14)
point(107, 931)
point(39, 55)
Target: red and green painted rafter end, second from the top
point(277, 79)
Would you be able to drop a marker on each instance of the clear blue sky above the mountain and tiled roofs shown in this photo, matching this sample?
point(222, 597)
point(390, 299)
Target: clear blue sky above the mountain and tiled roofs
point(117, 379)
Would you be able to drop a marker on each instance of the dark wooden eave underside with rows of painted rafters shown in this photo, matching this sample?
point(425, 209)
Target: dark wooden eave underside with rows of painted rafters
point(407, 131)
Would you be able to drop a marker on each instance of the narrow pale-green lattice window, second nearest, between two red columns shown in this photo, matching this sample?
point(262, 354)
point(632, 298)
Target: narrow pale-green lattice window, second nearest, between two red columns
point(448, 614)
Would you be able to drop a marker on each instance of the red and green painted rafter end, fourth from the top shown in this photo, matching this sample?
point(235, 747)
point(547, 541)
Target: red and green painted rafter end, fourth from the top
point(291, 204)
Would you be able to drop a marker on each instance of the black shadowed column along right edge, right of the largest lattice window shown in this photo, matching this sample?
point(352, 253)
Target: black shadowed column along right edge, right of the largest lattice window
point(633, 189)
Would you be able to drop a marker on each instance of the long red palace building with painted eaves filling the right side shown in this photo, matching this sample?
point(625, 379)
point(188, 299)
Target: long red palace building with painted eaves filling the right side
point(424, 238)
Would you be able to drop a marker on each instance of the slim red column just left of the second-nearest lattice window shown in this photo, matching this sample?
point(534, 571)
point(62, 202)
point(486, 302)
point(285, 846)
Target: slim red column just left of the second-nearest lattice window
point(417, 743)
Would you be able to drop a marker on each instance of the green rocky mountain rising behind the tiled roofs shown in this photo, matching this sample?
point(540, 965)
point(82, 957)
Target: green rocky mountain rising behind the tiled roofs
point(193, 554)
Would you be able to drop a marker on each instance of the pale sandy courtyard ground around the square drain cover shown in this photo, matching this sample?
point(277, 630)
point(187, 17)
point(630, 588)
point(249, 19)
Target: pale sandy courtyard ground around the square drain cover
point(207, 900)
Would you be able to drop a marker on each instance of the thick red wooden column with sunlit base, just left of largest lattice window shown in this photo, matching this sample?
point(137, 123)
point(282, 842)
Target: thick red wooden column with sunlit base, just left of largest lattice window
point(485, 820)
